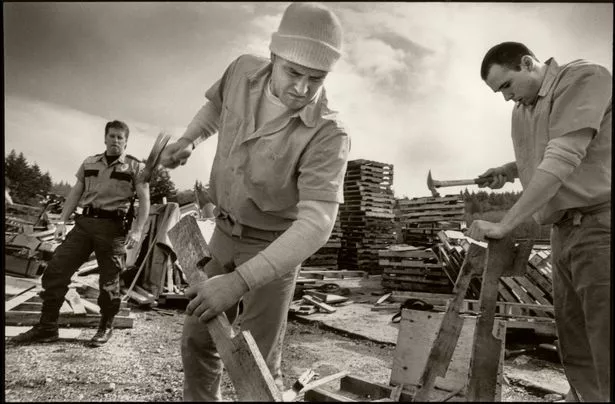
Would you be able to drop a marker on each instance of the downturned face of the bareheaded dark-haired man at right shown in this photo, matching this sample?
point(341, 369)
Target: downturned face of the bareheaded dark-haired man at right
point(520, 86)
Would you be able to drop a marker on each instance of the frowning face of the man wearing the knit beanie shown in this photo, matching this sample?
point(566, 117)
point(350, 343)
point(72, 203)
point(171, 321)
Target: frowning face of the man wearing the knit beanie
point(293, 84)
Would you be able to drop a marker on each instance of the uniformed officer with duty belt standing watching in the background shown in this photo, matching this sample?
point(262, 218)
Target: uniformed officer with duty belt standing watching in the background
point(106, 185)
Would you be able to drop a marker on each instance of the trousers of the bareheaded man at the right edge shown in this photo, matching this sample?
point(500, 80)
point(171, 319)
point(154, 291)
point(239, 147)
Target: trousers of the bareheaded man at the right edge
point(582, 299)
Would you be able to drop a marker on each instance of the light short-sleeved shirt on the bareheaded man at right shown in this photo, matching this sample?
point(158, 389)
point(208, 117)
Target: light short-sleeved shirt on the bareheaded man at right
point(574, 96)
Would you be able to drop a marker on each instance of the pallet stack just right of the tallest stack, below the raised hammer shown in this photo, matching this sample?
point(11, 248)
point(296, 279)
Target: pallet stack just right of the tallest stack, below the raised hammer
point(422, 218)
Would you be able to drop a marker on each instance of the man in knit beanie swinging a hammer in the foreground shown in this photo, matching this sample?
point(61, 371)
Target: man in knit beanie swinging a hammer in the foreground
point(276, 181)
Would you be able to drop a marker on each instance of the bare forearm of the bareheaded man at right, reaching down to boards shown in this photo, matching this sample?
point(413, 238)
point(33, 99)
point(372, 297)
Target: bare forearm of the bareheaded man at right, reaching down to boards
point(542, 188)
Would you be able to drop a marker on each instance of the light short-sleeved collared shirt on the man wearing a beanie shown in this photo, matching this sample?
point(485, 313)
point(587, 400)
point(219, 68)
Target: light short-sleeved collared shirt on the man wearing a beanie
point(259, 176)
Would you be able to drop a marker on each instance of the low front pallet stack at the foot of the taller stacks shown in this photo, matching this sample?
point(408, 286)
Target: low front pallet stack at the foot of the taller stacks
point(413, 269)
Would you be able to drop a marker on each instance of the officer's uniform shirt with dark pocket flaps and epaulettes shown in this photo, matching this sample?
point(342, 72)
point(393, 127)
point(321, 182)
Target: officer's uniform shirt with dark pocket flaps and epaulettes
point(109, 187)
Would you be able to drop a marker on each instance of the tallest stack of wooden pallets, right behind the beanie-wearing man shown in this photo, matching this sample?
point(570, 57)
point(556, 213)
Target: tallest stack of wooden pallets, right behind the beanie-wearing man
point(367, 216)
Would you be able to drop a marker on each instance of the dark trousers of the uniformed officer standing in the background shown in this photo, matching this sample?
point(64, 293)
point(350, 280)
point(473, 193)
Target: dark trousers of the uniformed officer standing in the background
point(106, 238)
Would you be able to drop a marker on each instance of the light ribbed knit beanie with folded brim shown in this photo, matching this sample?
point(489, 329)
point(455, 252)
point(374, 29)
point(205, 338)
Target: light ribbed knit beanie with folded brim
point(309, 35)
